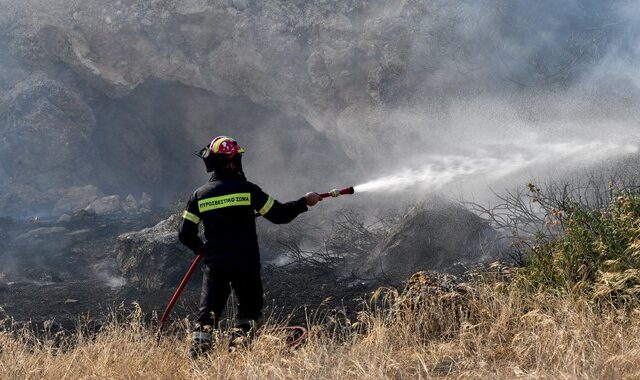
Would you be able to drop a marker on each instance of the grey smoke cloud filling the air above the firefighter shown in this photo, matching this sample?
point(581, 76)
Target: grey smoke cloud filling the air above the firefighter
point(319, 93)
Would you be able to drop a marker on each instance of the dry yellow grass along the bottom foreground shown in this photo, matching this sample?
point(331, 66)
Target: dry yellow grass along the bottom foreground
point(491, 334)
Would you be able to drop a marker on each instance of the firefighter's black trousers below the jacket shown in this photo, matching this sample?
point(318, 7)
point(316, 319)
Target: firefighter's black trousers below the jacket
point(216, 288)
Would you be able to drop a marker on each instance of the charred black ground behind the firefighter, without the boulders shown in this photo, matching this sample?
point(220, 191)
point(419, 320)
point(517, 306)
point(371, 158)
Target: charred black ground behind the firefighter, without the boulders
point(66, 272)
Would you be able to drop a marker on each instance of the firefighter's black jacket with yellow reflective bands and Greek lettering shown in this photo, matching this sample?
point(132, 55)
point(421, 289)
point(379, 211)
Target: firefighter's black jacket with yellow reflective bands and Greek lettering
point(227, 207)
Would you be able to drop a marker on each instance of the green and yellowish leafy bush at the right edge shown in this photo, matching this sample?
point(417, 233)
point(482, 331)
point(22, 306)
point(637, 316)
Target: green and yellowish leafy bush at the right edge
point(598, 255)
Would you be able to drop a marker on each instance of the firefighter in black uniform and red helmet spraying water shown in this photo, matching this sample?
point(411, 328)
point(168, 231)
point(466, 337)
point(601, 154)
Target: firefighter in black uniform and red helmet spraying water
point(227, 206)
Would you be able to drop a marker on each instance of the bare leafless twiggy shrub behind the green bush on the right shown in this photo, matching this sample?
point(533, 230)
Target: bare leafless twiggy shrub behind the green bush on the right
point(529, 215)
